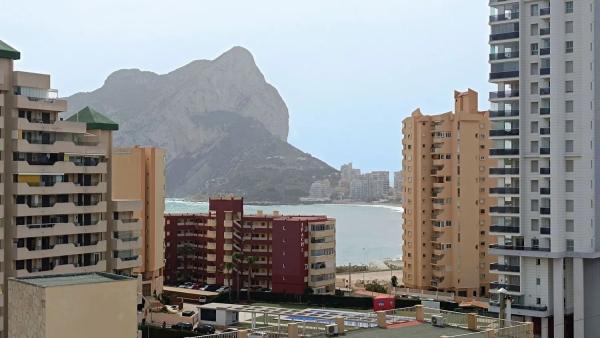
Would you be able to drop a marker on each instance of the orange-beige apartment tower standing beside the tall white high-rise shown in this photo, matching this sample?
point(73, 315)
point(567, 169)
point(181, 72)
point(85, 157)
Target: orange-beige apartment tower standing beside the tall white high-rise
point(445, 199)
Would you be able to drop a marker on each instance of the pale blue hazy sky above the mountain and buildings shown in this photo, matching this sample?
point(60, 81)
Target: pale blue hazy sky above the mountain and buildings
point(349, 70)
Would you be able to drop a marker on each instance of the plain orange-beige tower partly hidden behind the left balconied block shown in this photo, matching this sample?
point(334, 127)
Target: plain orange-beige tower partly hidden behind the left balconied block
point(139, 174)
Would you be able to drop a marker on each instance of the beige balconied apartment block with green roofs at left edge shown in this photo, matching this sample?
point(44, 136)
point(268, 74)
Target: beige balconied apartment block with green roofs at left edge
point(57, 214)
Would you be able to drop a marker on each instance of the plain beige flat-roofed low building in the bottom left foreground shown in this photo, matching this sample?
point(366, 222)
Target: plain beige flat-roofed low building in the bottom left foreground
point(91, 305)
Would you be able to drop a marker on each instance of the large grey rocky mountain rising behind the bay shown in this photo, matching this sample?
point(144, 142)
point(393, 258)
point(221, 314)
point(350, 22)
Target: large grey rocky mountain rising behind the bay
point(224, 128)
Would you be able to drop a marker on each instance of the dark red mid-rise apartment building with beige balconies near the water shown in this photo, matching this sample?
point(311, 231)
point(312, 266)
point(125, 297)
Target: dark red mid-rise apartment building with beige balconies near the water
point(291, 253)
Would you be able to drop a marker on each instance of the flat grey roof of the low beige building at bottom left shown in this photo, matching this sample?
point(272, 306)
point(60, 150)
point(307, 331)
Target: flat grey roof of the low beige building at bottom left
point(72, 279)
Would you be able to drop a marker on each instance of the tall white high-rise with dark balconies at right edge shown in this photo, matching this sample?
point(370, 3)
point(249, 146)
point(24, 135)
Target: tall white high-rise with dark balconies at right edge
point(545, 127)
